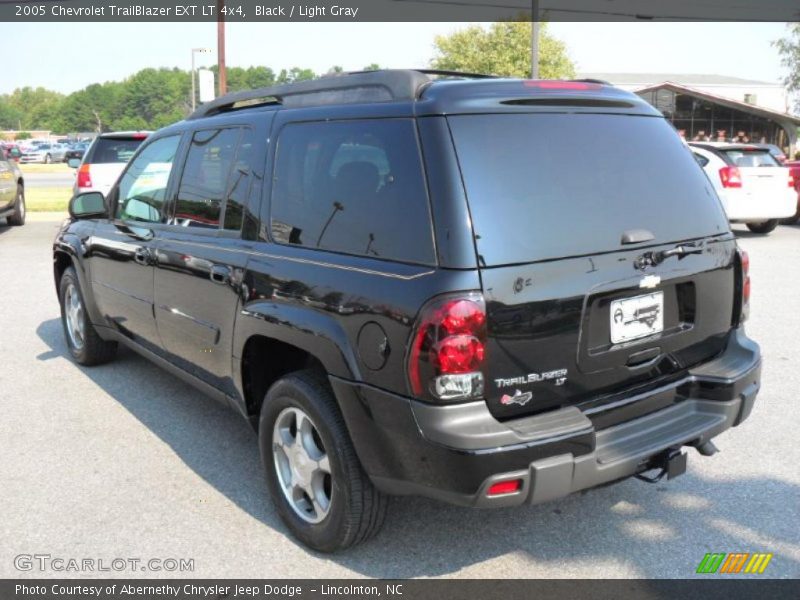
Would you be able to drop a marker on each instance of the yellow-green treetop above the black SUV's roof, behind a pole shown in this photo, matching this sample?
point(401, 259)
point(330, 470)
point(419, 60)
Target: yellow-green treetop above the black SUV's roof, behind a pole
point(502, 49)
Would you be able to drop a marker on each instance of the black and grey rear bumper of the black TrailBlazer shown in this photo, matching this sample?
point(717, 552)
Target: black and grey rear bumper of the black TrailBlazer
point(454, 453)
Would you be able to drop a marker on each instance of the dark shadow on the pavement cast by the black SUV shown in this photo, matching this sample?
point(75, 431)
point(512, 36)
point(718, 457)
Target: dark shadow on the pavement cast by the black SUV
point(653, 529)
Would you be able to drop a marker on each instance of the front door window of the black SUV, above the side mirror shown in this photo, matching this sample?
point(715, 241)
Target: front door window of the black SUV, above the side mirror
point(143, 187)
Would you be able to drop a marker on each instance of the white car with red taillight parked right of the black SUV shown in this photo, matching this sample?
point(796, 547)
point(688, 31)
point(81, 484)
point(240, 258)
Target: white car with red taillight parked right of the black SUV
point(754, 188)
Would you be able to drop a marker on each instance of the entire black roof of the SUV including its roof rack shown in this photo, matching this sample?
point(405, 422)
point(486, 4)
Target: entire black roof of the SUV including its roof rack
point(432, 92)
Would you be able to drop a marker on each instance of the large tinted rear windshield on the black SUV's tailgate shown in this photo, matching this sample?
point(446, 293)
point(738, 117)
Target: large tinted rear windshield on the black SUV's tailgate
point(543, 186)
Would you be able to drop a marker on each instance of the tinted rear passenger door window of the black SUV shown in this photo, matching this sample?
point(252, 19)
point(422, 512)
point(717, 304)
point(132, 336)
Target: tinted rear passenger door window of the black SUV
point(204, 182)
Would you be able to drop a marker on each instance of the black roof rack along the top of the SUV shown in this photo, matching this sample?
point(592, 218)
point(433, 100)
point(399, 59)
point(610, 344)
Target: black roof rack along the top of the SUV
point(388, 85)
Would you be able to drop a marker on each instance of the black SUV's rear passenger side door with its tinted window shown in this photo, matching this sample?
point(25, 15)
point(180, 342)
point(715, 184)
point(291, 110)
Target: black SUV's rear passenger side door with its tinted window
point(203, 253)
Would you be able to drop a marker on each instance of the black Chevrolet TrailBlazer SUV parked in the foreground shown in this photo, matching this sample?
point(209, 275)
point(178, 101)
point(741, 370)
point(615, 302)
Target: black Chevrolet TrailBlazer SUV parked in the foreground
point(487, 291)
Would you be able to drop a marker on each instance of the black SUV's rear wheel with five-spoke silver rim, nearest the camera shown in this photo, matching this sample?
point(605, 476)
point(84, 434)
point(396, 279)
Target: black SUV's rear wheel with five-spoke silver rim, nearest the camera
point(355, 509)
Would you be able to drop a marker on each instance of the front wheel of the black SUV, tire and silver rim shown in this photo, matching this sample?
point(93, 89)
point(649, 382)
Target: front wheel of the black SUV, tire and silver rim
point(83, 342)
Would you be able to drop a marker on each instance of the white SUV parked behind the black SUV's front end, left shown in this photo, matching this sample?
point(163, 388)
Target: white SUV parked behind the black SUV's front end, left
point(105, 159)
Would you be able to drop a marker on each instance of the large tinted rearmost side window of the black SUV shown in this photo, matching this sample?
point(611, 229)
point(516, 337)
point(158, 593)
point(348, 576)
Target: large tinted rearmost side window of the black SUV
point(355, 187)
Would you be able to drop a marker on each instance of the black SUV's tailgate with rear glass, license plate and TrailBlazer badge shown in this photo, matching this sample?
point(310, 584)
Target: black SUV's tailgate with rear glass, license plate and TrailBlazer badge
point(566, 210)
